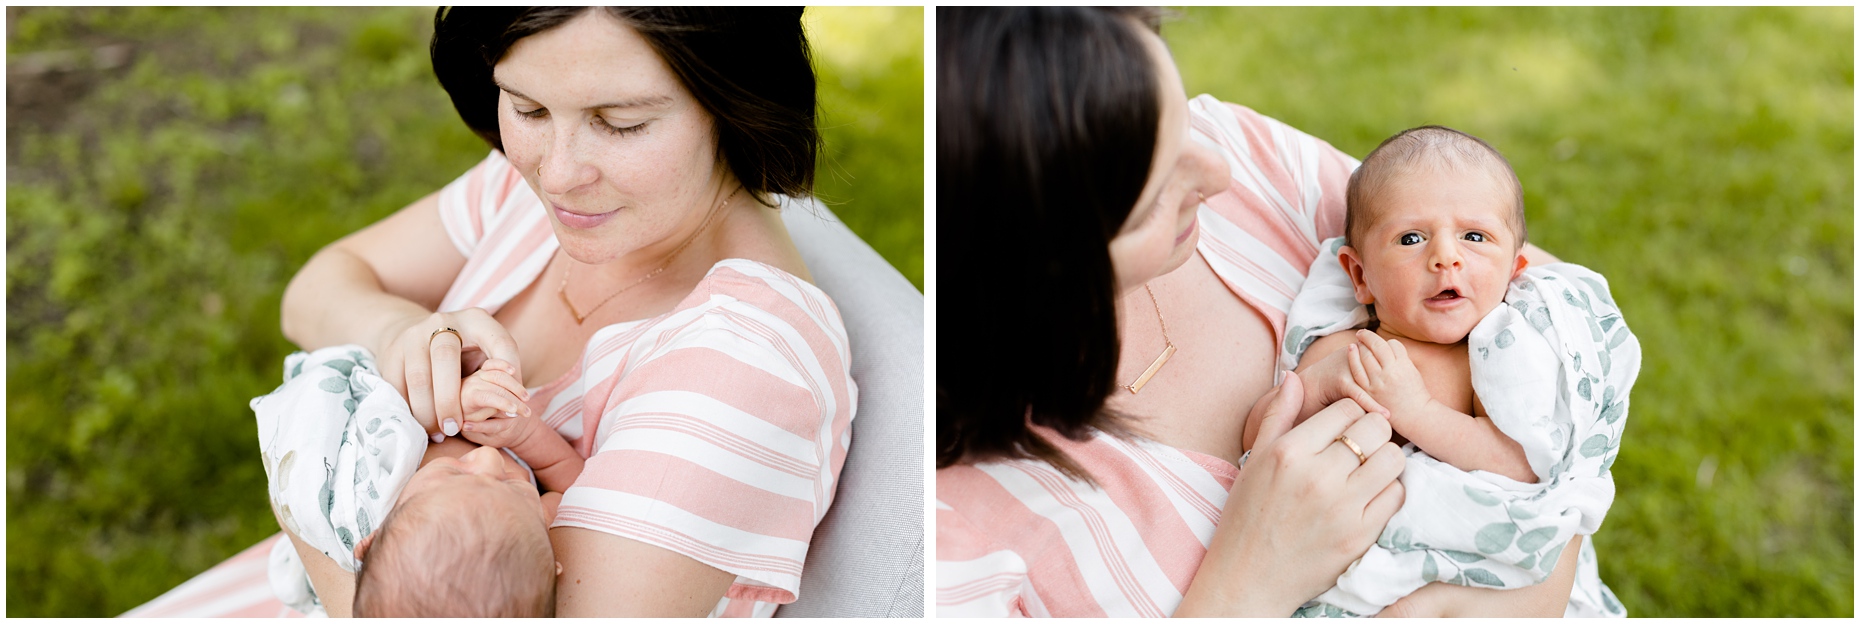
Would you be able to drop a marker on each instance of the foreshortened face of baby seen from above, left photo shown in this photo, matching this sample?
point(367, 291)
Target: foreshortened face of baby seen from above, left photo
point(483, 482)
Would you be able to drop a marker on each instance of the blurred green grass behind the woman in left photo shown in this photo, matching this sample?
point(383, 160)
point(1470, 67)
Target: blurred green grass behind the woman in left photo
point(168, 170)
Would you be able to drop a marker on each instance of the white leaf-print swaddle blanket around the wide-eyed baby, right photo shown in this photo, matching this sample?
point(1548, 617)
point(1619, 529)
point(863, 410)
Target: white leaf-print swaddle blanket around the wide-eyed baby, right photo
point(1554, 368)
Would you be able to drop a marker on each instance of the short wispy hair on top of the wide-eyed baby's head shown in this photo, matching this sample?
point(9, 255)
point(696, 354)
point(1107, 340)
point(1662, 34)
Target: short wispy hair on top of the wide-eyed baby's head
point(1429, 146)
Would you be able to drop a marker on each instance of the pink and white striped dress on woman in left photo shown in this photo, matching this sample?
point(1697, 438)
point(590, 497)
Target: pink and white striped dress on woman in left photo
point(715, 431)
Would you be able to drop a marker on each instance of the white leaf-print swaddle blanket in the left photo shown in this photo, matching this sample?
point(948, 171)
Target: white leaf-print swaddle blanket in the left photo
point(338, 446)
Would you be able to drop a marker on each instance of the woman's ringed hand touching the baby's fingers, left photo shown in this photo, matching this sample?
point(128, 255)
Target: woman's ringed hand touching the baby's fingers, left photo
point(431, 368)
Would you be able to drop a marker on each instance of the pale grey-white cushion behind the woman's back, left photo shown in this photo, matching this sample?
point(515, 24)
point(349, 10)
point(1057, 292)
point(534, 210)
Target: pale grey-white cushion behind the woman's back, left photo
point(868, 556)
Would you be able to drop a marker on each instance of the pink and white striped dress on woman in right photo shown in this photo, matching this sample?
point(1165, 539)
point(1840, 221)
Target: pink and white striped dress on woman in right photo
point(1020, 539)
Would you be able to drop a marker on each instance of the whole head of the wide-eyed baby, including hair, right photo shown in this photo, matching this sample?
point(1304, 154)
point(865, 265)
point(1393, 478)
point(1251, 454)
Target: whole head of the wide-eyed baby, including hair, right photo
point(1435, 232)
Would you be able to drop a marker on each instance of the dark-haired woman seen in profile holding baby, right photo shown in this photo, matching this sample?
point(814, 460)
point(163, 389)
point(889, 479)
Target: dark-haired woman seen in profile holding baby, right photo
point(1089, 461)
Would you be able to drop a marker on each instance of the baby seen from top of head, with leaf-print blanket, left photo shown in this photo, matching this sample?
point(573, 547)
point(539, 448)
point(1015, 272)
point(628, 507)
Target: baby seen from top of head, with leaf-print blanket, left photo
point(464, 536)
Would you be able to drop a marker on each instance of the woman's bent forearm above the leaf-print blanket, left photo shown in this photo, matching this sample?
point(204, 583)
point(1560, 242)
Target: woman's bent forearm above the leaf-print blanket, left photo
point(339, 301)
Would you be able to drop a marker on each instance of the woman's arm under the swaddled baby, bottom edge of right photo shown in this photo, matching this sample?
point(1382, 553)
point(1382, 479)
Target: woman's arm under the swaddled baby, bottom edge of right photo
point(1543, 601)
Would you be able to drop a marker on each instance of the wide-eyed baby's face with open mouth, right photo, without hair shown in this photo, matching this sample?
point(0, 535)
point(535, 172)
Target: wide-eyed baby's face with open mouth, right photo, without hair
point(1439, 254)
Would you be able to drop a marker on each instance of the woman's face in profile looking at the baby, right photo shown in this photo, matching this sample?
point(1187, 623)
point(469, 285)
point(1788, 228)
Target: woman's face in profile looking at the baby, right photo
point(1162, 232)
